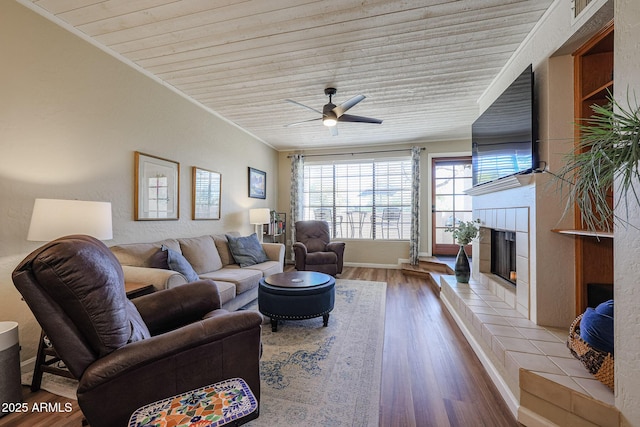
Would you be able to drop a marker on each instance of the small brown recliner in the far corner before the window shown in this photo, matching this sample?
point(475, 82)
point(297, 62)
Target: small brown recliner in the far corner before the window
point(314, 250)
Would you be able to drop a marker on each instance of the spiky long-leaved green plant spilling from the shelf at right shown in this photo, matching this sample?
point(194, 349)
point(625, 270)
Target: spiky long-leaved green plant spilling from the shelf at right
point(608, 151)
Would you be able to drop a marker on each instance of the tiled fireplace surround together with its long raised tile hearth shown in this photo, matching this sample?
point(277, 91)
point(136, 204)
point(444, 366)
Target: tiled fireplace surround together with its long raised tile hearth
point(519, 332)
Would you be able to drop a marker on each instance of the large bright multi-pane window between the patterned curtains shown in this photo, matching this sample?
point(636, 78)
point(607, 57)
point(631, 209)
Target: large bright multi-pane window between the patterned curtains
point(366, 199)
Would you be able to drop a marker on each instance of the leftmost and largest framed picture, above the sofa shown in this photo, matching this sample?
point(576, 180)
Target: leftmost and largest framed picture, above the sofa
point(157, 188)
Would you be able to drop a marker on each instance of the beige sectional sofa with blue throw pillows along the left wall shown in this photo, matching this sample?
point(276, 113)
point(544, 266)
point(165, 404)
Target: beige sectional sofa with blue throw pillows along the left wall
point(209, 256)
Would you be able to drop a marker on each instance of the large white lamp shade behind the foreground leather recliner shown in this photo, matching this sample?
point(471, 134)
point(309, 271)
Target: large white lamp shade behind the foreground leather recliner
point(53, 218)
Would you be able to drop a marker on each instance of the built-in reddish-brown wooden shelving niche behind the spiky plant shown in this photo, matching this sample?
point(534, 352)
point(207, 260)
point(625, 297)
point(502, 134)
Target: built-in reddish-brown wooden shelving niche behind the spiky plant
point(593, 79)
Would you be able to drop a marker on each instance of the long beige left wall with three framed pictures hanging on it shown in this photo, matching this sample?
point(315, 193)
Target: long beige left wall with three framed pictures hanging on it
point(71, 118)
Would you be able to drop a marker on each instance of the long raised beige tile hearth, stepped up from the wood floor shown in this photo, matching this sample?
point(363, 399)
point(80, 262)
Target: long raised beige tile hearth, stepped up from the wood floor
point(530, 364)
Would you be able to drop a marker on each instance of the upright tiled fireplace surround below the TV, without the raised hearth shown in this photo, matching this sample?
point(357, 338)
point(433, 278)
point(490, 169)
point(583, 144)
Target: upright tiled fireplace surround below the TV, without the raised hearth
point(544, 271)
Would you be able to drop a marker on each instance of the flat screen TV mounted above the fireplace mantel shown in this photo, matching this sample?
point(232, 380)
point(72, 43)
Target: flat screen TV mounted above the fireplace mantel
point(504, 137)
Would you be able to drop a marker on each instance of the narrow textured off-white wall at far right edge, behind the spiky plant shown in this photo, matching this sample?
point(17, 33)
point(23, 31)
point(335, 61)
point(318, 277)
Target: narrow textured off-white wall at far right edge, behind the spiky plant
point(627, 239)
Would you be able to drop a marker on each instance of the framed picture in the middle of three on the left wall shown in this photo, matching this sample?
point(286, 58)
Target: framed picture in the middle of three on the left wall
point(205, 193)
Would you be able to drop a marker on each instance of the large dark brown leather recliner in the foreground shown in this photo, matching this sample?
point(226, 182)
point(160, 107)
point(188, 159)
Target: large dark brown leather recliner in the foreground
point(127, 354)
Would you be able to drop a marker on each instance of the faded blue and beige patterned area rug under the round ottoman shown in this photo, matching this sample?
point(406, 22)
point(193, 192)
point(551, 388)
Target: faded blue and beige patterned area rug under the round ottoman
point(317, 376)
